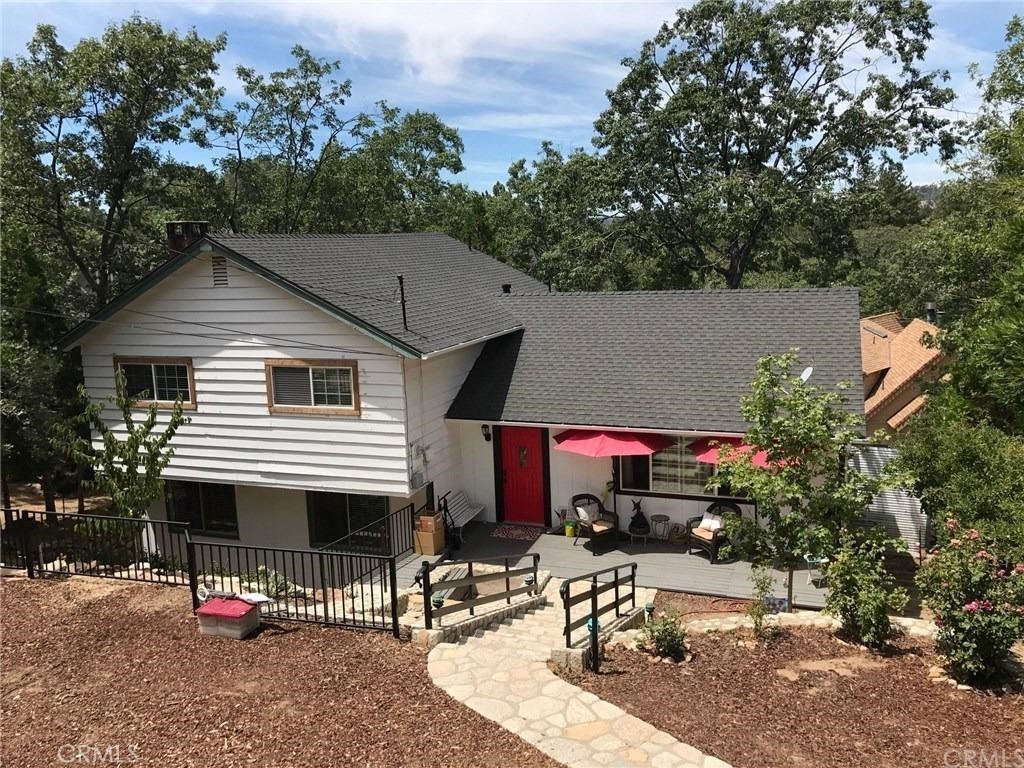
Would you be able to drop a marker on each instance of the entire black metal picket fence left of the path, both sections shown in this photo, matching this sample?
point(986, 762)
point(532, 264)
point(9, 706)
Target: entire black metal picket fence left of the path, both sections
point(344, 589)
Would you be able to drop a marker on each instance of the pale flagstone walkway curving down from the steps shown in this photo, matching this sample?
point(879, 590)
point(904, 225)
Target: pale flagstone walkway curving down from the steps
point(503, 675)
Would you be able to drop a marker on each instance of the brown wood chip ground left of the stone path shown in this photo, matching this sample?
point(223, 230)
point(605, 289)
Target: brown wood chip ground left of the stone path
point(114, 665)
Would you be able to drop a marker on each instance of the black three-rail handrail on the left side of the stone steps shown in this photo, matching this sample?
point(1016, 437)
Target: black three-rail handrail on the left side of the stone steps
point(465, 578)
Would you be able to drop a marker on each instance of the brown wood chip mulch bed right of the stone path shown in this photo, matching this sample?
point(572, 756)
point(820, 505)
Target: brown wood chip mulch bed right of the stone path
point(812, 701)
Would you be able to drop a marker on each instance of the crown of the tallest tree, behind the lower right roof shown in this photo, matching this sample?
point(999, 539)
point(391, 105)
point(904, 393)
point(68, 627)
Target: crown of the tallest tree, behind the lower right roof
point(723, 138)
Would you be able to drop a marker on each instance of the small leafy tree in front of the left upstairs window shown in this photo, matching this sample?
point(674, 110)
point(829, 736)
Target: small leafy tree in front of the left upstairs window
point(130, 468)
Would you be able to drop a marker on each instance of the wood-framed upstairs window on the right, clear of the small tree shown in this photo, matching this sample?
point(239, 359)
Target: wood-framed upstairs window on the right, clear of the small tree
point(313, 388)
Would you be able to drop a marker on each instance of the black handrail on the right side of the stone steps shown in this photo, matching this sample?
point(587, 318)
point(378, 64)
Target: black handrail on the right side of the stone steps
point(622, 589)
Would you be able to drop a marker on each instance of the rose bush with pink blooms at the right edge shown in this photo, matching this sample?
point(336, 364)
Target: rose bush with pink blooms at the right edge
point(978, 602)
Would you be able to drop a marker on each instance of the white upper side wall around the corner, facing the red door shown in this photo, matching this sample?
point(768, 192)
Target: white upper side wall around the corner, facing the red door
point(432, 386)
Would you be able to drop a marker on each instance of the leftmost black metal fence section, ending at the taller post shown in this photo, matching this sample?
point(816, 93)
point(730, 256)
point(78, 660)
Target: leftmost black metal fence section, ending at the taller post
point(126, 548)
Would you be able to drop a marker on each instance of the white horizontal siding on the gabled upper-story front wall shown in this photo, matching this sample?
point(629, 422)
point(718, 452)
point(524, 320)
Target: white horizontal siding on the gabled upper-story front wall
point(233, 438)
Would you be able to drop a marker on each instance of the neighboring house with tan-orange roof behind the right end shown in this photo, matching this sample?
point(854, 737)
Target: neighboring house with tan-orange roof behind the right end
point(897, 361)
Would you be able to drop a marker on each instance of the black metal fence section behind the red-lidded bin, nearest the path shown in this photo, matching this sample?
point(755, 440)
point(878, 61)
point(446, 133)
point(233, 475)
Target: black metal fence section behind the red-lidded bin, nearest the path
point(344, 589)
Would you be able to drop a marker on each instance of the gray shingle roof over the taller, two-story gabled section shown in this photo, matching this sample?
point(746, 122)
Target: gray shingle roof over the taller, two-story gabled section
point(453, 292)
